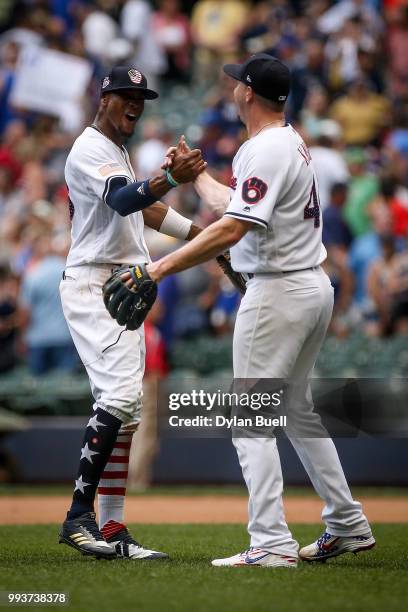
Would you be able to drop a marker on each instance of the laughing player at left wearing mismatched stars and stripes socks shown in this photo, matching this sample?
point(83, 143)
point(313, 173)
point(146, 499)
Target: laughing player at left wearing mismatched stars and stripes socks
point(108, 209)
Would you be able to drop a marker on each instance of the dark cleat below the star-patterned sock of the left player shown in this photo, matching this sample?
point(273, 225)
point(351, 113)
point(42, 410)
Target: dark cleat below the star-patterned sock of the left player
point(82, 533)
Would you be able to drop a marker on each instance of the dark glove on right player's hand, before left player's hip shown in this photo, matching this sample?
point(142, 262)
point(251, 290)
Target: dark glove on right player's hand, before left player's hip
point(129, 305)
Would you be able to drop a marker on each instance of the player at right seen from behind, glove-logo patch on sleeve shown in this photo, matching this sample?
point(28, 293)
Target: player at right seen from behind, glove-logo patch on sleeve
point(272, 221)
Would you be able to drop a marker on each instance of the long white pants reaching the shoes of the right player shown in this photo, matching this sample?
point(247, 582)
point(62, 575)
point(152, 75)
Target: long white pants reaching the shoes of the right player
point(280, 327)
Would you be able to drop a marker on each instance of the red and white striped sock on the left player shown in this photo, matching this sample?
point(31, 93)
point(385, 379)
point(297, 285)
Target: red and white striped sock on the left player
point(112, 485)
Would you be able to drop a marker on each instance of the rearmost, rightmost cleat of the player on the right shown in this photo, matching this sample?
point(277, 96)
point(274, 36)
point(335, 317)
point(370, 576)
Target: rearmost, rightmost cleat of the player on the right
point(328, 546)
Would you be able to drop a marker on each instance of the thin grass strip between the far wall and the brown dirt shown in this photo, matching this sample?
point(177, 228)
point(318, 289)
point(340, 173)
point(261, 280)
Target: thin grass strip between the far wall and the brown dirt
point(196, 490)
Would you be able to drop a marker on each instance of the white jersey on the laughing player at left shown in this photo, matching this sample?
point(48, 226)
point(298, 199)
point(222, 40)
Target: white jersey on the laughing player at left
point(99, 234)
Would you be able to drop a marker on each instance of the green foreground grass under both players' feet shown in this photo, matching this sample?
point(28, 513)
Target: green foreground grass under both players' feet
point(31, 560)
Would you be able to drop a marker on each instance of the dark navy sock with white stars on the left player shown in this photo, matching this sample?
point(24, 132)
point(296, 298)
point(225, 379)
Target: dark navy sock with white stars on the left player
point(99, 440)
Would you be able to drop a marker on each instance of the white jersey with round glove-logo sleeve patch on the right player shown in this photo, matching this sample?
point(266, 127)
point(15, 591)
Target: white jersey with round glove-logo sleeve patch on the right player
point(275, 187)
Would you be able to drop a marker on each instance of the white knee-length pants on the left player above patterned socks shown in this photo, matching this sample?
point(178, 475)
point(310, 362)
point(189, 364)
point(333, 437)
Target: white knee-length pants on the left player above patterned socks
point(115, 374)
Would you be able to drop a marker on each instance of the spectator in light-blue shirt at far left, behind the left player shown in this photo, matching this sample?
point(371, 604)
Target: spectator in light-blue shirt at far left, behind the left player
point(49, 343)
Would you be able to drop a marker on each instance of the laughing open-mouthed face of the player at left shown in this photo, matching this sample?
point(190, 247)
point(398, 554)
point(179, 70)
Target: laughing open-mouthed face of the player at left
point(123, 109)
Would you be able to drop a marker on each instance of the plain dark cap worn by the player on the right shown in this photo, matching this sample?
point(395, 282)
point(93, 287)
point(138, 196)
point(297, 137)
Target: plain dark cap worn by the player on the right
point(267, 76)
